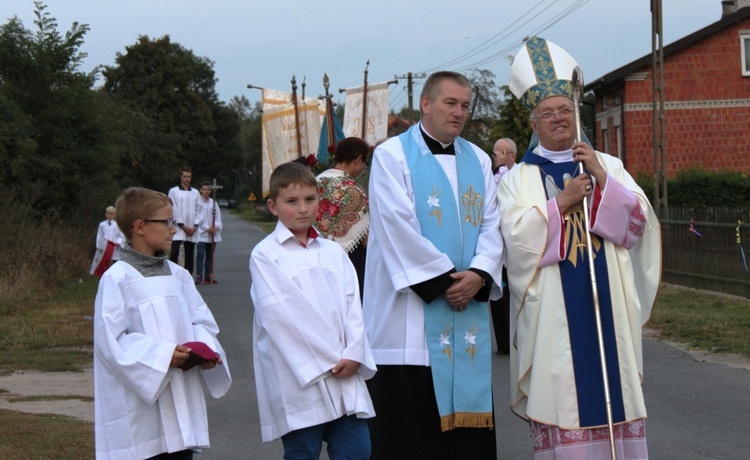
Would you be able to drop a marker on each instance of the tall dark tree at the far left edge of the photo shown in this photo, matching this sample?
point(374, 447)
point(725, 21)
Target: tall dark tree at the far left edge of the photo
point(55, 147)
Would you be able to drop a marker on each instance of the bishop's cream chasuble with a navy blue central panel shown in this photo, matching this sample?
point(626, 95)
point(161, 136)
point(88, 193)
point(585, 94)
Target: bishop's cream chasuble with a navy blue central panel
point(554, 353)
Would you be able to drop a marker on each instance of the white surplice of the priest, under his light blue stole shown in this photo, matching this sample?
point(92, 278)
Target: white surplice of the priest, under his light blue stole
point(398, 256)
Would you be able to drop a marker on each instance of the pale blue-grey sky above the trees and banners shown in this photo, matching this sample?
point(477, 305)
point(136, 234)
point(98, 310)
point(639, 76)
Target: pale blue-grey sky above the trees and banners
point(265, 42)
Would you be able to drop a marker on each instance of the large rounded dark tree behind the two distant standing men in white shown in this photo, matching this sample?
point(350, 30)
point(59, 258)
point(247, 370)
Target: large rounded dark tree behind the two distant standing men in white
point(173, 115)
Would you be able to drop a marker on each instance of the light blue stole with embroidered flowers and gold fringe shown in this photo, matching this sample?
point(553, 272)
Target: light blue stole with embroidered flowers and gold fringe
point(458, 342)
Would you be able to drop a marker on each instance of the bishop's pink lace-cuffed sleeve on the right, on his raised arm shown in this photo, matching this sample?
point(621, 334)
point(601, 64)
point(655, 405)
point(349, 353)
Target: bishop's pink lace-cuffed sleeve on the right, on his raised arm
point(616, 214)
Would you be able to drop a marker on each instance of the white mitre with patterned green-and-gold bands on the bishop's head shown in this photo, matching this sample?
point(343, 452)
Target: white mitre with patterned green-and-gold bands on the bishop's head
point(540, 70)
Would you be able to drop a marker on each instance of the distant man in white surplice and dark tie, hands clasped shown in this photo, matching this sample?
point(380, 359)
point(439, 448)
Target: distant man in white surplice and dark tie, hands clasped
point(188, 213)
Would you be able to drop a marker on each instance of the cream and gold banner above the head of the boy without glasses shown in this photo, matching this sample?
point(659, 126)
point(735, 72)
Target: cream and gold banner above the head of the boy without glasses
point(280, 134)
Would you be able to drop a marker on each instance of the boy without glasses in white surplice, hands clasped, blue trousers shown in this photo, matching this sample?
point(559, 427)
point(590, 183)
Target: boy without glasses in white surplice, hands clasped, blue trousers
point(310, 350)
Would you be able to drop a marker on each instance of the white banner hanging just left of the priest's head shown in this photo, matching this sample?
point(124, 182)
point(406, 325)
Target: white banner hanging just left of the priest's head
point(376, 114)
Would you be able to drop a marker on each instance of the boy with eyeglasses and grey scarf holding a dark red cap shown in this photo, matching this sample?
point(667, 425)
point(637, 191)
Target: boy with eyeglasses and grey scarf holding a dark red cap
point(155, 344)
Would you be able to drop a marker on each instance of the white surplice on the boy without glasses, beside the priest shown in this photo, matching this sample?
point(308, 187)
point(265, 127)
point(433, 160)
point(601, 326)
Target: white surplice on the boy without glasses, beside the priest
point(308, 317)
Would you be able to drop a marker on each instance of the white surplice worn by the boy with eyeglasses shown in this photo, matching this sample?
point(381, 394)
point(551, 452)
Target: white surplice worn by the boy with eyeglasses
point(142, 406)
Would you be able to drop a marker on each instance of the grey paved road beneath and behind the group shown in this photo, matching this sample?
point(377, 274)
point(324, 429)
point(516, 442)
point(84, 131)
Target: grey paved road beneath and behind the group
point(697, 410)
